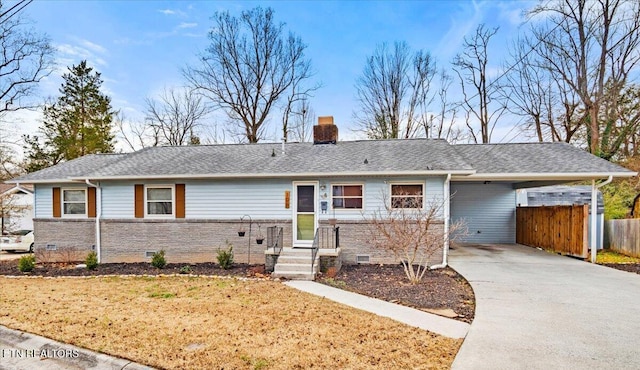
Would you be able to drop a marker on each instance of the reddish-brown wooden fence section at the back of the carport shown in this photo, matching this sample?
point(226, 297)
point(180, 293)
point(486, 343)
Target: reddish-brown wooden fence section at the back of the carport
point(563, 229)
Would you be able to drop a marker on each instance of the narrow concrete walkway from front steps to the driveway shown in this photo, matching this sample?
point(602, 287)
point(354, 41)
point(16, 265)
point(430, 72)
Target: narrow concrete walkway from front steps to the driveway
point(407, 315)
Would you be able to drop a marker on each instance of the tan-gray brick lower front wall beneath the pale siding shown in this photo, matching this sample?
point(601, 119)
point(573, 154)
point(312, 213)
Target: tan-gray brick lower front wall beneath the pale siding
point(195, 240)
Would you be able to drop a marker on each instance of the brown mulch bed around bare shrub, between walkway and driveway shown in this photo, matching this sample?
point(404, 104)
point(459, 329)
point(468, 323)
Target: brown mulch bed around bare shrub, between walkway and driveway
point(439, 289)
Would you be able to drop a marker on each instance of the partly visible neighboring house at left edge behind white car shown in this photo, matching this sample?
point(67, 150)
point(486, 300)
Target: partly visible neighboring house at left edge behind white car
point(16, 207)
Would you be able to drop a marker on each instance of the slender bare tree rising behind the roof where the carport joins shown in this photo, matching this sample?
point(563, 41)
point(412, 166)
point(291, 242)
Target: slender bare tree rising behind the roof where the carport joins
point(481, 102)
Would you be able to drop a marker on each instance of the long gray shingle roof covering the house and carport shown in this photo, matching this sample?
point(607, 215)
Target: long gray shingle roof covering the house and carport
point(382, 157)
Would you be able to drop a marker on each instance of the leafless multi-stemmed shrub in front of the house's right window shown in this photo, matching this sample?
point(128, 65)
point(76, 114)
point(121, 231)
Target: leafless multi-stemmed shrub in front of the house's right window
point(412, 230)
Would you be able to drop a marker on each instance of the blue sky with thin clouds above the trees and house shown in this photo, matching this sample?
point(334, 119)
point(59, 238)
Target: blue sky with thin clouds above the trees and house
point(141, 46)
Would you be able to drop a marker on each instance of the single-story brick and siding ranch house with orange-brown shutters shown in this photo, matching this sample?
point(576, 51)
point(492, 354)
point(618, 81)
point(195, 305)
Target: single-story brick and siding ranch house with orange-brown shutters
point(189, 200)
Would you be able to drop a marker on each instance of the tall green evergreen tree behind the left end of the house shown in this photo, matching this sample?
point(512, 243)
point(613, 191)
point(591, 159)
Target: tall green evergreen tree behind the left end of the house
point(78, 123)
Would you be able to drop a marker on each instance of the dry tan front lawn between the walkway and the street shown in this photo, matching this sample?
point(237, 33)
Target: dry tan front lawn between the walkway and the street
point(198, 322)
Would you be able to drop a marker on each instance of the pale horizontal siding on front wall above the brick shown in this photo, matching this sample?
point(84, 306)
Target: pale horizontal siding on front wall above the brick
point(229, 199)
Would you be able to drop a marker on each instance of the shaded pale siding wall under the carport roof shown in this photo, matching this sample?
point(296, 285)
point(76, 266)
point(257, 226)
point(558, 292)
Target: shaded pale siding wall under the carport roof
point(487, 209)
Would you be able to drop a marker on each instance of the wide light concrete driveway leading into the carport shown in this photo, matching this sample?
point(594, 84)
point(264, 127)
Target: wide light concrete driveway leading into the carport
point(538, 310)
